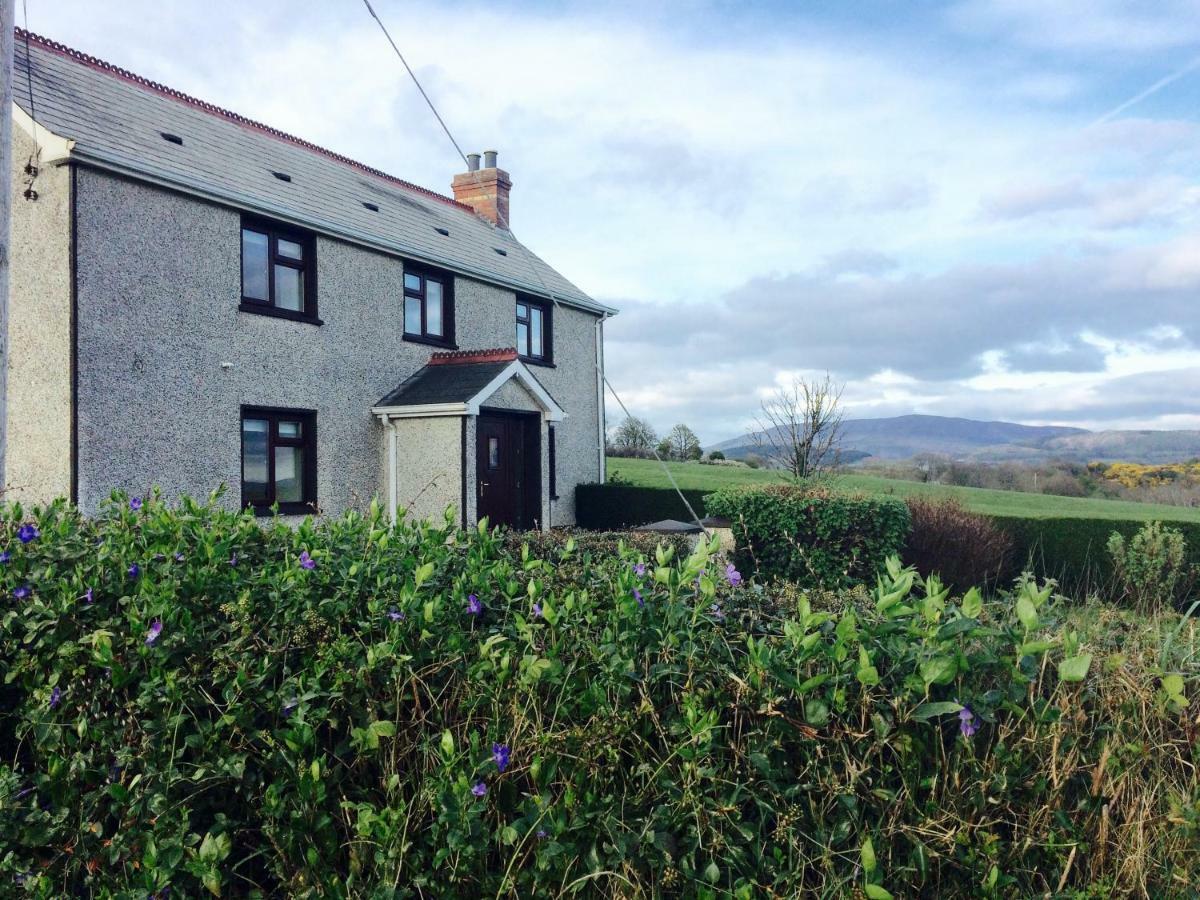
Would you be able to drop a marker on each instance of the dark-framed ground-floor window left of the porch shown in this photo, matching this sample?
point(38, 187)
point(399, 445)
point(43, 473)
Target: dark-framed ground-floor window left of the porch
point(279, 460)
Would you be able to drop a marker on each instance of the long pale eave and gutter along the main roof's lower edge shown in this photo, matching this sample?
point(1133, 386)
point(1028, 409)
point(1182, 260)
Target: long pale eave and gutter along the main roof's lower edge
point(196, 188)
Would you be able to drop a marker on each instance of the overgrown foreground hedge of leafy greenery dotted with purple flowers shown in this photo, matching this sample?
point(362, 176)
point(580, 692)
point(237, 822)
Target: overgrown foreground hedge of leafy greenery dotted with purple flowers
point(316, 712)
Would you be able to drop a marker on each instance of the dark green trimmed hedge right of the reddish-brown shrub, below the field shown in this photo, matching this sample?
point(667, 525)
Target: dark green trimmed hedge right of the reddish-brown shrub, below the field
point(1075, 550)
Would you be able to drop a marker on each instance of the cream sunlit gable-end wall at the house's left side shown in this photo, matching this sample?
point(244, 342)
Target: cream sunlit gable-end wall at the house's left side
point(39, 435)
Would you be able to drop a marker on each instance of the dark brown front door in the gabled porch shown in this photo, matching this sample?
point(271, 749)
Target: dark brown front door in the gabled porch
point(508, 470)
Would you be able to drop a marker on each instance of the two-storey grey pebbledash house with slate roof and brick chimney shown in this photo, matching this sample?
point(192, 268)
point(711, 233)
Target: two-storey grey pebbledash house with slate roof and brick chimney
point(200, 301)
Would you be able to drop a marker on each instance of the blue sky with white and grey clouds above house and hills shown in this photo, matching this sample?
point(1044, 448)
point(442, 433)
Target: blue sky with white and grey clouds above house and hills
point(979, 208)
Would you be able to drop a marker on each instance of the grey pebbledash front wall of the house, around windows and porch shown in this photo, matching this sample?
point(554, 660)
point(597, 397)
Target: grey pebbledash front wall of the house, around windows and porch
point(166, 361)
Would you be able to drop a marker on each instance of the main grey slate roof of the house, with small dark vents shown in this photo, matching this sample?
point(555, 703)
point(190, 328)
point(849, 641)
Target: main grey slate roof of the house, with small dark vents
point(118, 122)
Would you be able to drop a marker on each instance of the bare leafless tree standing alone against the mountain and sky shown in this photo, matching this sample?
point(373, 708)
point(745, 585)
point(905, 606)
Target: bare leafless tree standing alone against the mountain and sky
point(800, 429)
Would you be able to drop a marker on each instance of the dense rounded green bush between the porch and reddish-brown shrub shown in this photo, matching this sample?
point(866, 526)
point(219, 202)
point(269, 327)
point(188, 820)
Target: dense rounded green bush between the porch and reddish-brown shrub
point(809, 536)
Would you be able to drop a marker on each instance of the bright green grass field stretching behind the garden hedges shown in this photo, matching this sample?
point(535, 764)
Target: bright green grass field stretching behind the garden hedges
point(650, 473)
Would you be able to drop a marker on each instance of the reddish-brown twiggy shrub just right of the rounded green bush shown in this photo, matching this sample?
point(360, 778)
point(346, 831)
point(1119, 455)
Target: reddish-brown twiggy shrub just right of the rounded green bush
point(964, 548)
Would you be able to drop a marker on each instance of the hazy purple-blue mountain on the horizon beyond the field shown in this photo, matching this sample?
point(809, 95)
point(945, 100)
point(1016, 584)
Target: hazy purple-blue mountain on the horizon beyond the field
point(907, 436)
